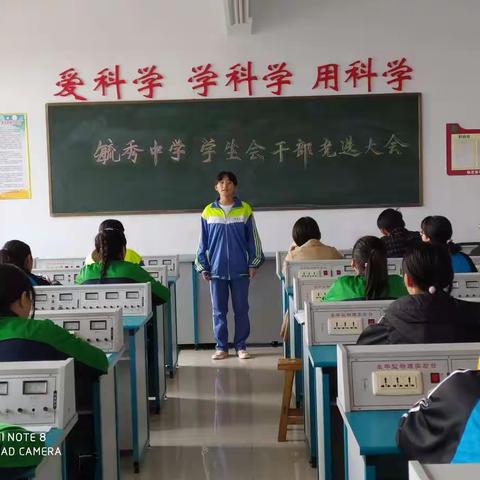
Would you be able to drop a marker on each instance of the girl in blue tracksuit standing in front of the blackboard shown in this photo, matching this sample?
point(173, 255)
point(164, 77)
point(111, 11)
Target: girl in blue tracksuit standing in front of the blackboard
point(228, 255)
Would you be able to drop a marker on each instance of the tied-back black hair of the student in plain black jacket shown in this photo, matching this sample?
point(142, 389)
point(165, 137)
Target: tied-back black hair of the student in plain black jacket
point(429, 265)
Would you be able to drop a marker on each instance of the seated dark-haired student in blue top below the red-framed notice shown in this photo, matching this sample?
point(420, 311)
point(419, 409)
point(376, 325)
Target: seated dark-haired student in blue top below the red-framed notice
point(438, 230)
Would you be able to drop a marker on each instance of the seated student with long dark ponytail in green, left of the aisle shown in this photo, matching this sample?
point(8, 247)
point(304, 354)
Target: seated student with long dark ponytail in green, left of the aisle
point(111, 268)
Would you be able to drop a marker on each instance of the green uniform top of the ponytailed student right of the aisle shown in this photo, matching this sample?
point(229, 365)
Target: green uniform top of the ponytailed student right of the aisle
point(352, 287)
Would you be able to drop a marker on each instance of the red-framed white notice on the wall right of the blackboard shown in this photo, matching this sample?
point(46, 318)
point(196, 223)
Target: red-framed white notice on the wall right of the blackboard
point(463, 150)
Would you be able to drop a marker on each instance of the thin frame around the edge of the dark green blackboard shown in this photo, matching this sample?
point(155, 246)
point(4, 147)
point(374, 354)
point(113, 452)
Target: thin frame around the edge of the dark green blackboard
point(418, 95)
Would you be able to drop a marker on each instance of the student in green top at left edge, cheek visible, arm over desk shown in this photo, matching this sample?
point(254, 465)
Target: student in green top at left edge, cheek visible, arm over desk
point(23, 339)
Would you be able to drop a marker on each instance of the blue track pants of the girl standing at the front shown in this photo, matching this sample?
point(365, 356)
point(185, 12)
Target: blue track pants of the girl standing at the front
point(219, 290)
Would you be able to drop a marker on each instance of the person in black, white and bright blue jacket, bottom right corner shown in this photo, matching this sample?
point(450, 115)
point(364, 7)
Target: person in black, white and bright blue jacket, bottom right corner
point(445, 426)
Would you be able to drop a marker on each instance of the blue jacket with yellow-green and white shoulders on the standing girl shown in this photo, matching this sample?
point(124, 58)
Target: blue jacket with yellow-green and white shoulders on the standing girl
point(229, 244)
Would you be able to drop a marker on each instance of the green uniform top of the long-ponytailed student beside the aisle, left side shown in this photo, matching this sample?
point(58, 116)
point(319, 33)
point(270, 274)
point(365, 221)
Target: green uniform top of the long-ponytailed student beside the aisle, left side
point(120, 271)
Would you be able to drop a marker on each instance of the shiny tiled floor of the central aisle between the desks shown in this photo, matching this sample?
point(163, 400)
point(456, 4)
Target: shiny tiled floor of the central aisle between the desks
point(220, 422)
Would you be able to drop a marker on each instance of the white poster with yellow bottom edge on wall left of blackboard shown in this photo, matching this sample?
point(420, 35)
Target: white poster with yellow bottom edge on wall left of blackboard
point(14, 159)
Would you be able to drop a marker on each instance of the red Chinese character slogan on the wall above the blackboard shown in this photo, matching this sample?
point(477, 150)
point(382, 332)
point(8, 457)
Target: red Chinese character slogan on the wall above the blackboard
point(240, 77)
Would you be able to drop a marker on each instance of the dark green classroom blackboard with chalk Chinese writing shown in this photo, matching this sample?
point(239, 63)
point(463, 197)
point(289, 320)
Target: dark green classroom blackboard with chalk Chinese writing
point(296, 152)
